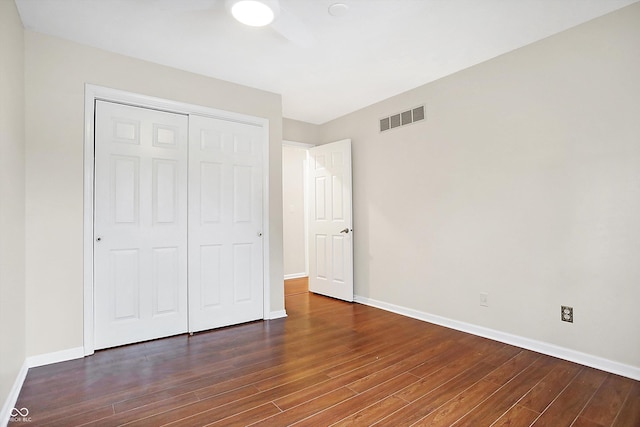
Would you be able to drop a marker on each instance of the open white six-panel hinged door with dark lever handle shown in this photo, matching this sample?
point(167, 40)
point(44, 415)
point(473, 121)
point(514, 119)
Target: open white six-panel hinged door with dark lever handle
point(330, 222)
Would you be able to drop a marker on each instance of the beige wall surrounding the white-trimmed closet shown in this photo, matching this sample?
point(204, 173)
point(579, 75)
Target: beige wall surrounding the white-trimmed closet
point(56, 71)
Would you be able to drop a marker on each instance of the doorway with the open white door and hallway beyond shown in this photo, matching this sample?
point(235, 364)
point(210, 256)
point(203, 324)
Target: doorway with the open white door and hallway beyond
point(317, 198)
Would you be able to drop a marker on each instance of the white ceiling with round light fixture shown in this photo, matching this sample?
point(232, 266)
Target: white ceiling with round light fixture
point(324, 66)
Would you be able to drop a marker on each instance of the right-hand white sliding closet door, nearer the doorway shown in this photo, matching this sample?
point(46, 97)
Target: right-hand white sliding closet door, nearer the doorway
point(225, 223)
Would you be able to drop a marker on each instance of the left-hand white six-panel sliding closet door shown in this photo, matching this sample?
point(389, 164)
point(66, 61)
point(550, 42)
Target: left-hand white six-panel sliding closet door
point(140, 247)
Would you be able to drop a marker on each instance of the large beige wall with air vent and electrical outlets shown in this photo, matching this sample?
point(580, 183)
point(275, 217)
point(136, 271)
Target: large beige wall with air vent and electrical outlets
point(523, 182)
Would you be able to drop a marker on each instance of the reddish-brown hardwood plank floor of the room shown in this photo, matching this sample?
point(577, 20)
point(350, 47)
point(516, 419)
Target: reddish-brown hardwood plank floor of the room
point(328, 363)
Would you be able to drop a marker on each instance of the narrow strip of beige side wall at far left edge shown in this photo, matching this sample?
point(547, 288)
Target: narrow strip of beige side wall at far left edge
point(12, 167)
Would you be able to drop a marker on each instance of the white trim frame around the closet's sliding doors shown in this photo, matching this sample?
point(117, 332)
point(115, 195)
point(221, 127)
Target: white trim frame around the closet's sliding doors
point(93, 92)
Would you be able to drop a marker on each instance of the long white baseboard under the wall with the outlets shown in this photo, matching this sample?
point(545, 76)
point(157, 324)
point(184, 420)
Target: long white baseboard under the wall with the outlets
point(603, 364)
